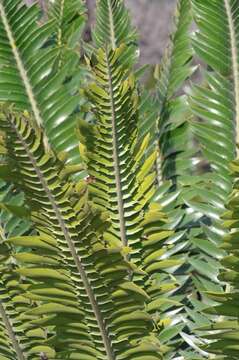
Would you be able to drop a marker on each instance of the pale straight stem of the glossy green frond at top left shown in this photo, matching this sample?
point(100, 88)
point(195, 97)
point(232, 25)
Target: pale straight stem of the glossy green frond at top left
point(21, 67)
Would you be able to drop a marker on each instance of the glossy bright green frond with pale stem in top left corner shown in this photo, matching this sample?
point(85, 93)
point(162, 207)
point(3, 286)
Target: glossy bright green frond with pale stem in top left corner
point(29, 76)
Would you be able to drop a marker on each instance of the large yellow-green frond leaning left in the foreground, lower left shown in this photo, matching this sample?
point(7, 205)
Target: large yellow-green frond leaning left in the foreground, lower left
point(95, 276)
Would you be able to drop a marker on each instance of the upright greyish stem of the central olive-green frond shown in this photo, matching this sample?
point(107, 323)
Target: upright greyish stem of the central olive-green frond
point(116, 159)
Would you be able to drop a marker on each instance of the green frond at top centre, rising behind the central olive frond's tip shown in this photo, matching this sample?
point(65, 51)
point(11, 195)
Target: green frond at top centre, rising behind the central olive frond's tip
point(113, 28)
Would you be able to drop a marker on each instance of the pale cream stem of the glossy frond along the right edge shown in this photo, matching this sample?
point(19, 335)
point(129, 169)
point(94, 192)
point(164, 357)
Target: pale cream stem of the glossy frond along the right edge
point(235, 60)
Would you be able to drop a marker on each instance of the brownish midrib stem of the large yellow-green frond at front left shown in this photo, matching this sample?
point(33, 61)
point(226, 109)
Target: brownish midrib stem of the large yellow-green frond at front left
point(70, 243)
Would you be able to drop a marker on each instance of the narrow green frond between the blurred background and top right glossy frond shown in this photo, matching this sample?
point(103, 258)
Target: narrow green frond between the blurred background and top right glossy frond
point(174, 69)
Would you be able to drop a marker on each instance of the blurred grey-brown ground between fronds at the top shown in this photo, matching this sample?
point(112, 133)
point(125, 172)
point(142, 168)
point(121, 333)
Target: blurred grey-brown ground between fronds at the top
point(153, 19)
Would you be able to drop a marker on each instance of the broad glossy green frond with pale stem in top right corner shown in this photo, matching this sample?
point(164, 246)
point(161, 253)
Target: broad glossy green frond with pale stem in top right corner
point(218, 104)
